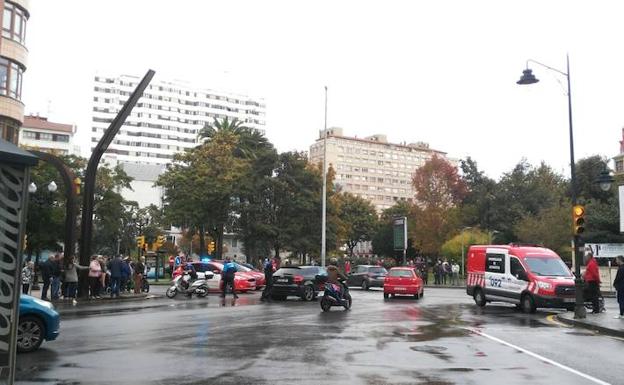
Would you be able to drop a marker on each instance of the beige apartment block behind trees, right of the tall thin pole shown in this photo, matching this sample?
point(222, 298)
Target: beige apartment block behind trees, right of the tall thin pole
point(371, 167)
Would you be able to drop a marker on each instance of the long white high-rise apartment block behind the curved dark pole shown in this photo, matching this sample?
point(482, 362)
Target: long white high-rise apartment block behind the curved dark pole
point(166, 119)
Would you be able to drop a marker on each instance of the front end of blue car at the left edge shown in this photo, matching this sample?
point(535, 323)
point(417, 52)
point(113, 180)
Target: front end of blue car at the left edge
point(38, 321)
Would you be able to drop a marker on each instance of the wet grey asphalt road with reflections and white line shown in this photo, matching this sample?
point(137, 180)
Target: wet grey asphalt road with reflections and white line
point(441, 339)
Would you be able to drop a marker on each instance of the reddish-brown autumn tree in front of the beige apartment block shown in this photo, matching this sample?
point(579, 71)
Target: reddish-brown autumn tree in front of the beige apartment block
point(439, 192)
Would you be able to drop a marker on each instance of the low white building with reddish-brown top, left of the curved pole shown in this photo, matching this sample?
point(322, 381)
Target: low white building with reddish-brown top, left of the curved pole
point(39, 133)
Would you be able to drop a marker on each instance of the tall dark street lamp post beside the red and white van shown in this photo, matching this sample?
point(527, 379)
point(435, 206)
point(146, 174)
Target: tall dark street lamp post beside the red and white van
point(529, 78)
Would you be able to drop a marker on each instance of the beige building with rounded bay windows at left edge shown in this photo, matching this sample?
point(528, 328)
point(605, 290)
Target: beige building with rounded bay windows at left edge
point(13, 54)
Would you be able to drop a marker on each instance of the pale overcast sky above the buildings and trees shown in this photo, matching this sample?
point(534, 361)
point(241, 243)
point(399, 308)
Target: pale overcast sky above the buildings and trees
point(443, 72)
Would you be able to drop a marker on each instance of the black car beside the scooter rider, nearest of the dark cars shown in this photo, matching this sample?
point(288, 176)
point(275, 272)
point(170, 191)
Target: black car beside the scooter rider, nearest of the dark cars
point(297, 281)
